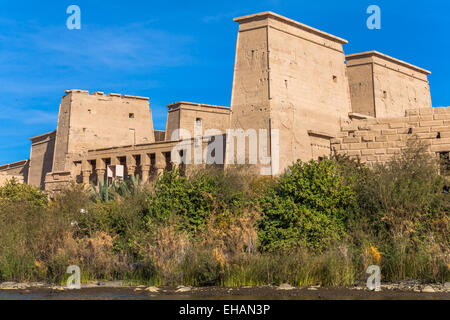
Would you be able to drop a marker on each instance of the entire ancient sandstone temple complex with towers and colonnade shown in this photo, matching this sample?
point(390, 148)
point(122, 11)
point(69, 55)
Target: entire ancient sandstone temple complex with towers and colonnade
point(295, 95)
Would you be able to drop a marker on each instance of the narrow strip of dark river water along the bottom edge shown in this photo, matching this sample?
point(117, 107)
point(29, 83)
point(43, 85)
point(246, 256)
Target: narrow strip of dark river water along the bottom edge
point(216, 294)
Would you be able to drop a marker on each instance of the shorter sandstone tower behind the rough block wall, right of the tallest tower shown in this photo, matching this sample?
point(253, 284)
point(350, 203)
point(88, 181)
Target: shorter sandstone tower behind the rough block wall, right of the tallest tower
point(382, 86)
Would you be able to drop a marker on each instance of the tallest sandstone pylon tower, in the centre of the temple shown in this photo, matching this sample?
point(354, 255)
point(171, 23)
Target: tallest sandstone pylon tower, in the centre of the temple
point(289, 77)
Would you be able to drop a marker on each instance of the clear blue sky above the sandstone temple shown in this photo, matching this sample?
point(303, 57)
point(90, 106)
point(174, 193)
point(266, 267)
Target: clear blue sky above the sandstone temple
point(177, 51)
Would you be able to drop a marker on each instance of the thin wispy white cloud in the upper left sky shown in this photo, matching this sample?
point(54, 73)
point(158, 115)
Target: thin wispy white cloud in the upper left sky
point(49, 57)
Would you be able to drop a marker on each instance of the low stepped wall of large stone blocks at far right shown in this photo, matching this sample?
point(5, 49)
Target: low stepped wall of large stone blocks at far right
point(377, 140)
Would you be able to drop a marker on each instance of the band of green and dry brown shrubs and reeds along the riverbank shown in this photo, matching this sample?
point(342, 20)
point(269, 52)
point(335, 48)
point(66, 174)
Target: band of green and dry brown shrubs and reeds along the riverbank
point(318, 223)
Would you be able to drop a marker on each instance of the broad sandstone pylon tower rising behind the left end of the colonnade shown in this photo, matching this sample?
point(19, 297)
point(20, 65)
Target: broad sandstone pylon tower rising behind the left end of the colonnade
point(98, 121)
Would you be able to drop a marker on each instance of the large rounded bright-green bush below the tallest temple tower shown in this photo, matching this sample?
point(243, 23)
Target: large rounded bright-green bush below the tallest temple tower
point(306, 207)
